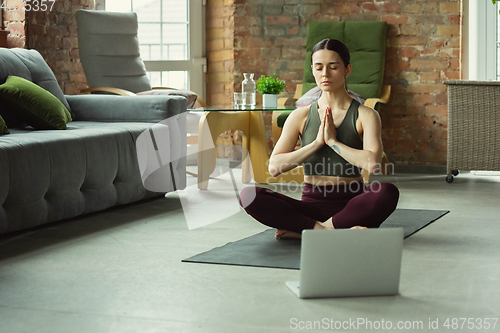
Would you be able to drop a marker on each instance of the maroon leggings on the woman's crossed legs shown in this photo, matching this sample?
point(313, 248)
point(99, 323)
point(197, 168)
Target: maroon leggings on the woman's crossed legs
point(350, 205)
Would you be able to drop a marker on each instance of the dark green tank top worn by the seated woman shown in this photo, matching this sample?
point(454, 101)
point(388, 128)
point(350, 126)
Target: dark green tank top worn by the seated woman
point(325, 161)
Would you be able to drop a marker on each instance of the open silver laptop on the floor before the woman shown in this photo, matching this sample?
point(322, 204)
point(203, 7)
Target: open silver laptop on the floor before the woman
point(349, 262)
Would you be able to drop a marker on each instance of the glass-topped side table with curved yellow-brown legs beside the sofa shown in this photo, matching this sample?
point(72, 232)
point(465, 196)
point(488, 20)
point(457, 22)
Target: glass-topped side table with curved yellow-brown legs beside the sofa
point(215, 121)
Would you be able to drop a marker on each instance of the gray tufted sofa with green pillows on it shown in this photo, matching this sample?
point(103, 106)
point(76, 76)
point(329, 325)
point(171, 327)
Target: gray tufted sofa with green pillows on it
point(50, 175)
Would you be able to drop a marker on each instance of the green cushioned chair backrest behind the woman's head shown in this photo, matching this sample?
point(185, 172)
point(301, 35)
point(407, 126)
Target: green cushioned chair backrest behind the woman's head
point(366, 43)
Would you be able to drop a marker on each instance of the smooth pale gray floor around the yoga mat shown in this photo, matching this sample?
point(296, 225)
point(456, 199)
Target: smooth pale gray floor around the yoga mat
point(121, 270)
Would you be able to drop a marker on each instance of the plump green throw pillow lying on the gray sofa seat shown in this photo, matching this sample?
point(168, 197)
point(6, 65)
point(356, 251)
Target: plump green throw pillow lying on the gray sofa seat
point(33, 104)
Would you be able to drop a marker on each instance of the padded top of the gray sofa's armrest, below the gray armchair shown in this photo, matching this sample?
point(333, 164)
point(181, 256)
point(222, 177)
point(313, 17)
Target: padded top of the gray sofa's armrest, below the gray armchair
point(110, 108)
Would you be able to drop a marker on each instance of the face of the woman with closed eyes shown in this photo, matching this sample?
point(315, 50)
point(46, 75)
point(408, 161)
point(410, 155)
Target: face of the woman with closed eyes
point(329, 70)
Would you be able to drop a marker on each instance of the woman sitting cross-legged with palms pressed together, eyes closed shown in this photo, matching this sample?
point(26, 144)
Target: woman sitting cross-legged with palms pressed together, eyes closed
point(339, 137)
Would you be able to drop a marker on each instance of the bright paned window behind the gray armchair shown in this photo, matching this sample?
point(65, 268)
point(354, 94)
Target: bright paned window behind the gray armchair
point(170, 40)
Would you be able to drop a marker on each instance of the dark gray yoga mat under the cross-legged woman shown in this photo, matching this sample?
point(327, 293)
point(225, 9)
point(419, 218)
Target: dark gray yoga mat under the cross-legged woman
point(263, 250)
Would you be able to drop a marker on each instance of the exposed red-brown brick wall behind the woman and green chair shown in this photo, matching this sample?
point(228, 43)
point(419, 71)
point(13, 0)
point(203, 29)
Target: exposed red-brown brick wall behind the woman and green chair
point(423, 49)
